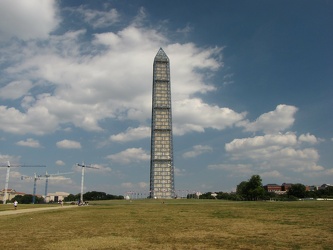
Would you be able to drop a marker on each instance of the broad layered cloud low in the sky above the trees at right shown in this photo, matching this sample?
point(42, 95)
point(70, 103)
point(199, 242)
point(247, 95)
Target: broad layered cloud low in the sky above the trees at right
point(273, 152)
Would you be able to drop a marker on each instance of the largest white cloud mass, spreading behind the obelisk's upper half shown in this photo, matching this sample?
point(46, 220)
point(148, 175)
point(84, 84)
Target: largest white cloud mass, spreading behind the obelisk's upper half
point(76, 86)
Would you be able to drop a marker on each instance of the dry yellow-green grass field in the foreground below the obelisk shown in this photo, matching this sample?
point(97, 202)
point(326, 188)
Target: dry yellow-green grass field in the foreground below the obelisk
point(174, 224)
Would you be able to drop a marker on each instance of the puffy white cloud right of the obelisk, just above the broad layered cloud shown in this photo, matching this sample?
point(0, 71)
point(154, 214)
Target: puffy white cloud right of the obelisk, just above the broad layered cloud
point(275, 121)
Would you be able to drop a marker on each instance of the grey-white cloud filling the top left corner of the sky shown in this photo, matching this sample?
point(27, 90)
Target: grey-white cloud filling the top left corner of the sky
point(31, 19)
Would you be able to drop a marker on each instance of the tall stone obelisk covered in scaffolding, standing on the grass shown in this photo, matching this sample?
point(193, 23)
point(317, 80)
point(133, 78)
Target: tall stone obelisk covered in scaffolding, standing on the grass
point(161, 158)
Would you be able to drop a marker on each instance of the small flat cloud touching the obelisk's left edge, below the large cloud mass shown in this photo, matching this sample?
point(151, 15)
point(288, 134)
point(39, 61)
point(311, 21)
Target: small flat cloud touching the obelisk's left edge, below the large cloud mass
point(130, 155)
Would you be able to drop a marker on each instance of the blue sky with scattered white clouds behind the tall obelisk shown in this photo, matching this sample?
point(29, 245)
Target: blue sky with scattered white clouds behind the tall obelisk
point(251, 91)
